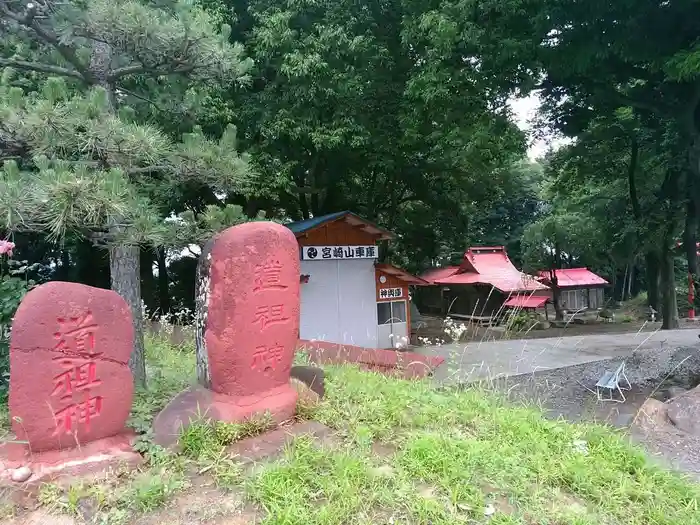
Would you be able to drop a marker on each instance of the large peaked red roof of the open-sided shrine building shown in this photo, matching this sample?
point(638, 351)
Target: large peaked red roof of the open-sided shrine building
point(489, 266)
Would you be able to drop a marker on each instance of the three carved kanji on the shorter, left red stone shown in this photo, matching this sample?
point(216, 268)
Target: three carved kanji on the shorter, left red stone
point(76, 348)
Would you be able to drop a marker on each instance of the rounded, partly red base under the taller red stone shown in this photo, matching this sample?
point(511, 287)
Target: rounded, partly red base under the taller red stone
point(197, 403)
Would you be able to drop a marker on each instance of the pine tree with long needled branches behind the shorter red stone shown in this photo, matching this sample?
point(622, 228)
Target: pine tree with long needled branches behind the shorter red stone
point(86, 163)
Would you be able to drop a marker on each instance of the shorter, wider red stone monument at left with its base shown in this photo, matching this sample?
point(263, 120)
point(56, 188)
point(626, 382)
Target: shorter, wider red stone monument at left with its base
point(70, 384)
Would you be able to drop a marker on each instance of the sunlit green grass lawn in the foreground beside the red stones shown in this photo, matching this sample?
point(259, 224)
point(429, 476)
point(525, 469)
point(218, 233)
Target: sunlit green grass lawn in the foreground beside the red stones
point(401, 452)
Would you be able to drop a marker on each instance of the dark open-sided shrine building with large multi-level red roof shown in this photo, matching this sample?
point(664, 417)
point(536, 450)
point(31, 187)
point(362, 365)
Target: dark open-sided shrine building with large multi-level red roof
point(480, 287)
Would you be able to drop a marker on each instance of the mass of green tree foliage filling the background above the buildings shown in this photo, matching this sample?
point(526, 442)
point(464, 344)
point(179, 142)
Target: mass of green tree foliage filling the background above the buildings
point(217, 112)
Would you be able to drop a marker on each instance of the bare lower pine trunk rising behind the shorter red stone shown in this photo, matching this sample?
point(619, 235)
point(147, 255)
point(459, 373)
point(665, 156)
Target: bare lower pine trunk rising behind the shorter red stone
point(125, 273)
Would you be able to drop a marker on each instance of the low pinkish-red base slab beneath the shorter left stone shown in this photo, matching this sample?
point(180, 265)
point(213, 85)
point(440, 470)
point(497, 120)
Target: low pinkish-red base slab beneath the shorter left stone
point(24, 470)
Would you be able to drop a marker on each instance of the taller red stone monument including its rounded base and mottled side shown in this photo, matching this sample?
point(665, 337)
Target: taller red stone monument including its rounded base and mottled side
point(247, 329)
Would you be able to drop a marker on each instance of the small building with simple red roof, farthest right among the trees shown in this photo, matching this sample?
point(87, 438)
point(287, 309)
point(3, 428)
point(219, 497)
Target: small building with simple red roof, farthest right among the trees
point(581, 289)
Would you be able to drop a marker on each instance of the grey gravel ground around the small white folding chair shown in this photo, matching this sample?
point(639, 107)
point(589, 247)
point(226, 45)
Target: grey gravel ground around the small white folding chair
point(659, 374)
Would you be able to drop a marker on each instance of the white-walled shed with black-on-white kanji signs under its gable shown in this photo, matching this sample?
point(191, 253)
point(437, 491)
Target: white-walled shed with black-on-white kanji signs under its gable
point(347, 297)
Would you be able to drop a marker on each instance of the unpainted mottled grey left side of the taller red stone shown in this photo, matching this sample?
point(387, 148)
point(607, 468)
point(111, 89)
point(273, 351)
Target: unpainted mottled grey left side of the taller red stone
point(201, 299)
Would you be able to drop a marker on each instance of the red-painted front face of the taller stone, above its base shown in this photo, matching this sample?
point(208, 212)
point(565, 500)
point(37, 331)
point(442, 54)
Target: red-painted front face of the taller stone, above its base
point(253, 309)
